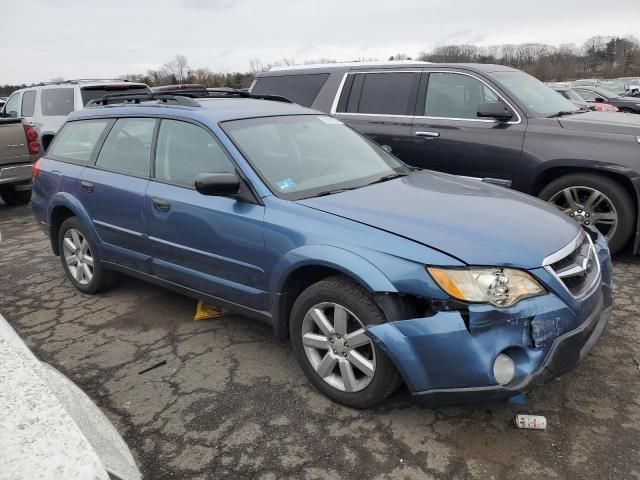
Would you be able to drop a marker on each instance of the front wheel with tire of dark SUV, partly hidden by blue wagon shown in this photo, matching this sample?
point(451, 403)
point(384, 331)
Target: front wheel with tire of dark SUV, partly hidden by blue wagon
point(595, 200)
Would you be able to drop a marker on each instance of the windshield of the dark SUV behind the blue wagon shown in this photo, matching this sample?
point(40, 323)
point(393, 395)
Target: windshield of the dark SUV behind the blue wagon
point(536, 96)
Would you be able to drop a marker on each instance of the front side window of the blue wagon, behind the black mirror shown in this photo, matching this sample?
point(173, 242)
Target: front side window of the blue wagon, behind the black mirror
point(185, 151)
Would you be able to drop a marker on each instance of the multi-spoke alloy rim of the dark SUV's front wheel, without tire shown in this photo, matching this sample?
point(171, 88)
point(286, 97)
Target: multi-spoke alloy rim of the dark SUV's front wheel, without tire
point(588, 206)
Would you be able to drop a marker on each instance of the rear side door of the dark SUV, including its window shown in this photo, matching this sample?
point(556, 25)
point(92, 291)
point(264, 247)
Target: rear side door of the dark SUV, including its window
point(380, 104)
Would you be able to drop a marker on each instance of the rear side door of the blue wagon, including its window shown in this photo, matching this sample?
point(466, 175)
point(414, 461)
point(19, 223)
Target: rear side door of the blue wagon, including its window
point(113, 191)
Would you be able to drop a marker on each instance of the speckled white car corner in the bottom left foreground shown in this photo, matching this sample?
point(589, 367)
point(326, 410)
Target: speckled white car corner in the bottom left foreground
point(50, 428)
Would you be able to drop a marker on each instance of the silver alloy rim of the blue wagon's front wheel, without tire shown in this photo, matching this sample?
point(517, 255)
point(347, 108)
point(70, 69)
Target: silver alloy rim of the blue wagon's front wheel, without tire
point(337, 347)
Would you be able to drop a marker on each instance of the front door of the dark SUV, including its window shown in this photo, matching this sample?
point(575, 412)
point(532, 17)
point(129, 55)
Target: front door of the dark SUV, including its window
point(448, 136)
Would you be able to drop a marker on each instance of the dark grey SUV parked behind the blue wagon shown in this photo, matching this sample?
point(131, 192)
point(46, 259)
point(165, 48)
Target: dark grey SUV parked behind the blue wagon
point(490, 122)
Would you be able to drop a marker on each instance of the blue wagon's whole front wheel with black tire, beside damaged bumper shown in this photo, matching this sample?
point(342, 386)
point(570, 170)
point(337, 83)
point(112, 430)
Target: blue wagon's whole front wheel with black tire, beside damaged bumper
point(332, 294)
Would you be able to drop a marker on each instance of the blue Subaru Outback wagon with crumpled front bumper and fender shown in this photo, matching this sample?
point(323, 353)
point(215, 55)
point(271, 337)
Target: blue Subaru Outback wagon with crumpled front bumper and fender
point(376, 272)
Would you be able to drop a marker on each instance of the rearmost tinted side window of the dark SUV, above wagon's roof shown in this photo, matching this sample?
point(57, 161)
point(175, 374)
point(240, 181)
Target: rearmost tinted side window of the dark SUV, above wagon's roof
point(302, 89)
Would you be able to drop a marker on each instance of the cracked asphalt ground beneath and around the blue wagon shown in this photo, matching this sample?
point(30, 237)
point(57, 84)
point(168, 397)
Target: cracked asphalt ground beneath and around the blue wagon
point(231, 402)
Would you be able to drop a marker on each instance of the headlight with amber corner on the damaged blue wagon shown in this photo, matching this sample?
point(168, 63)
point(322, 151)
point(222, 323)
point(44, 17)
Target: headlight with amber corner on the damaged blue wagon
point(501, 287)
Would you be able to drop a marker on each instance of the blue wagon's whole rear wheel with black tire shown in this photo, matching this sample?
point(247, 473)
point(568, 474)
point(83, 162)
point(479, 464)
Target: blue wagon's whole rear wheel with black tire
point(100, 278)
